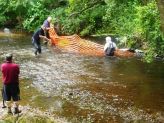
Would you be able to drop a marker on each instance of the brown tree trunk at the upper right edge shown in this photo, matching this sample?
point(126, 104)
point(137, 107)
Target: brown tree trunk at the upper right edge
point(160, 4)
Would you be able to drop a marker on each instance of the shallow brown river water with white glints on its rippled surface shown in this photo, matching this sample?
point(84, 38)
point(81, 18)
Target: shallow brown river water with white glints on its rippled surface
point(87, 89)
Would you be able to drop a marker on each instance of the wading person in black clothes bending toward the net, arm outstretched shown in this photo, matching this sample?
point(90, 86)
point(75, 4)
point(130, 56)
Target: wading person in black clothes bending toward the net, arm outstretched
point(36, 39)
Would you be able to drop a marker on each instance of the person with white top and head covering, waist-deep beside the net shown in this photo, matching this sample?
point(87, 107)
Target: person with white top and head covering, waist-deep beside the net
point(109, 47)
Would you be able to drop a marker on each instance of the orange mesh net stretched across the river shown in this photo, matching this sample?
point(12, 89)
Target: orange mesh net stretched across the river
point(75, 44)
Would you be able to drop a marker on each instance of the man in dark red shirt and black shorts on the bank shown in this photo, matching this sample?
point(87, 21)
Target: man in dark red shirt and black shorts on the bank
point(10, 78)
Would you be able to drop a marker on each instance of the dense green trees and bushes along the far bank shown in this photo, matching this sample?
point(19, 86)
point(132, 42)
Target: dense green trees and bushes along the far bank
point(138, 21)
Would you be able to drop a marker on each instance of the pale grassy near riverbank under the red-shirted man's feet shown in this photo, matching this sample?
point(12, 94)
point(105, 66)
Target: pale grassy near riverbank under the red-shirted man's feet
point(29, 115)
